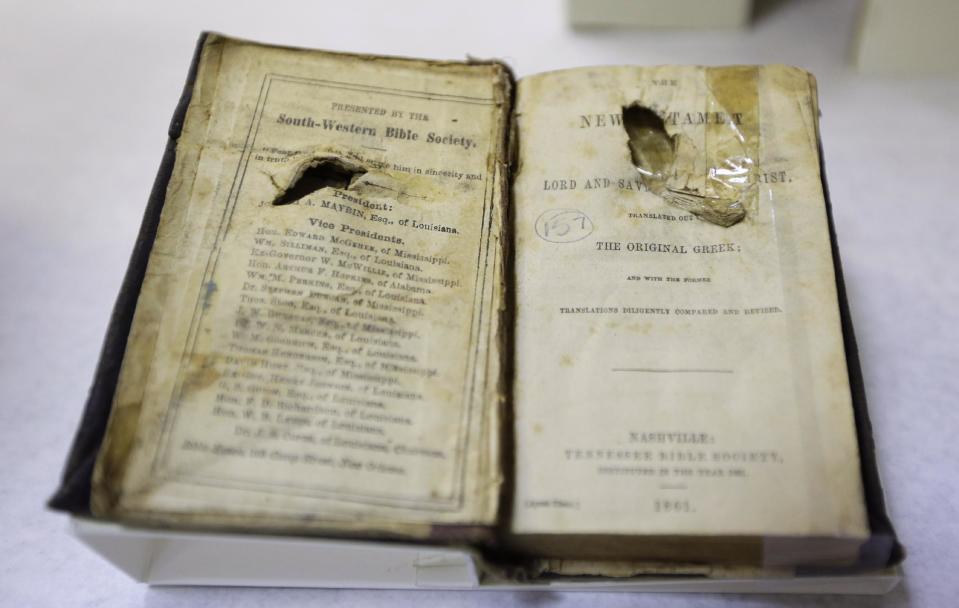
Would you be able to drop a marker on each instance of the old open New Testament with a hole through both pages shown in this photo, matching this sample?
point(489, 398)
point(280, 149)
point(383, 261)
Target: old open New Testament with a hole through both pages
point(590, 316)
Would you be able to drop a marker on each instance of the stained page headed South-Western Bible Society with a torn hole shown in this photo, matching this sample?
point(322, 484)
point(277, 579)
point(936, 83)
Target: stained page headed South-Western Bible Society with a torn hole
point(317, 343)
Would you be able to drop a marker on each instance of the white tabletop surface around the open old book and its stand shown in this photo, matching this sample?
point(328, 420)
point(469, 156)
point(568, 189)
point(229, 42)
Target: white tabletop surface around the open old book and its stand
point(87, 92)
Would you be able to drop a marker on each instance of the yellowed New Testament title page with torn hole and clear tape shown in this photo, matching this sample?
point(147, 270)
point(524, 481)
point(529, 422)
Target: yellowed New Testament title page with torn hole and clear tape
point(676, 378)
